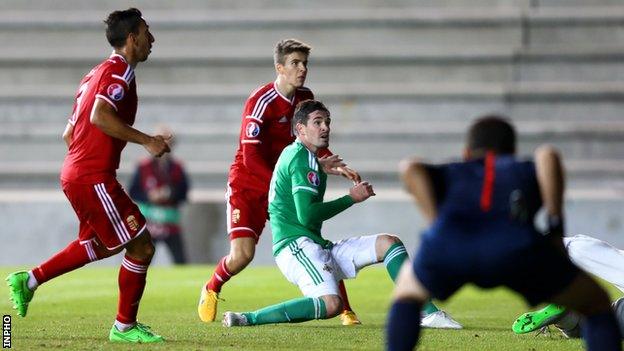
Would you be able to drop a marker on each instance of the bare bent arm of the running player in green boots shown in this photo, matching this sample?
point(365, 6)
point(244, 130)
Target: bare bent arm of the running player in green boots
point(106, 119)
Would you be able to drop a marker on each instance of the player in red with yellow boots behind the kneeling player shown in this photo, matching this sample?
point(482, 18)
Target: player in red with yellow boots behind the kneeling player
point(265, 132)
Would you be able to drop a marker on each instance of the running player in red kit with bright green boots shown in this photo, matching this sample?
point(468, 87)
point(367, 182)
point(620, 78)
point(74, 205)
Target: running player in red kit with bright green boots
point(98, 130)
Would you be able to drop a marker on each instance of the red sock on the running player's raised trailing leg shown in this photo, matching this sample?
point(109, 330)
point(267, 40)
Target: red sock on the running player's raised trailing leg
point(75, 255)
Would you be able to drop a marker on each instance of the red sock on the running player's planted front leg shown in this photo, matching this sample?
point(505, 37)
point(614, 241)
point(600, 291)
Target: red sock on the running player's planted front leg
point(131, 285)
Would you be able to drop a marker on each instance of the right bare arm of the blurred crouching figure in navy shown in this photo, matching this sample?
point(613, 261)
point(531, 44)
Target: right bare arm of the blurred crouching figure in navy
point(550, 177)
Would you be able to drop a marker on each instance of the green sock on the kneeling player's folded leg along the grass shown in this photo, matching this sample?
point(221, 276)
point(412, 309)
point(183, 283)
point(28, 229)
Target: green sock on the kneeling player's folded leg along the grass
point(291, 311)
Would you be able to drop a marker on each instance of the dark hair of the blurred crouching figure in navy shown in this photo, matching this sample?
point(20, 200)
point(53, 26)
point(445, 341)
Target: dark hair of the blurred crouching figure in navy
point(492, 133)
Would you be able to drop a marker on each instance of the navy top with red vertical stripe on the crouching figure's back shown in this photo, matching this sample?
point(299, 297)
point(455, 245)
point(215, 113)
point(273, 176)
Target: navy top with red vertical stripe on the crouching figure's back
point(479, 199)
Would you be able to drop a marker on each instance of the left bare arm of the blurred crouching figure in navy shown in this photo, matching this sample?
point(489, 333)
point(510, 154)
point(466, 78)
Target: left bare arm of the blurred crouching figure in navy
point(418, 183)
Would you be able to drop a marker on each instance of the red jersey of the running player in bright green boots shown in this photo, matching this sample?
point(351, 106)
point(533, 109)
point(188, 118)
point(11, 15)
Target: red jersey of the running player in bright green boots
point(94, 156)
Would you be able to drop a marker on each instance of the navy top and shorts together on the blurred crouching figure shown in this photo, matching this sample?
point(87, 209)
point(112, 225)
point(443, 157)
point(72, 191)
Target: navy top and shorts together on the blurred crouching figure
point(484, 232)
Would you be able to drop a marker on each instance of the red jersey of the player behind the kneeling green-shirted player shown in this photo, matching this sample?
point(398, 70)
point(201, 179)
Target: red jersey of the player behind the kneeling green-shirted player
point(265, 131)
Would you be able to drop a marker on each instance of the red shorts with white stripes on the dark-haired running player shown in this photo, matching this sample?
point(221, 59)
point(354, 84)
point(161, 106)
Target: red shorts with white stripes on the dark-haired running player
point(105, 211)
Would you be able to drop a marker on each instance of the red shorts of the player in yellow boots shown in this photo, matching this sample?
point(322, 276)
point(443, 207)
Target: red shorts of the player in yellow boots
point(247, 212)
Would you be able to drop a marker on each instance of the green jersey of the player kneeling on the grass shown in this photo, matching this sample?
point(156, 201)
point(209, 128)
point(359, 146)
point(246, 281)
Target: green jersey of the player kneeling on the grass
point(297, 169)
